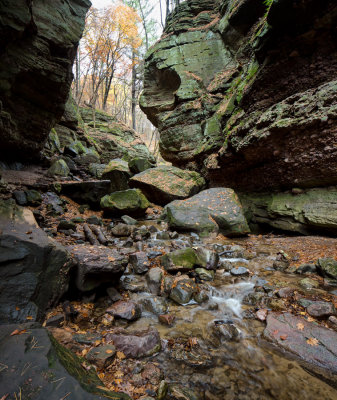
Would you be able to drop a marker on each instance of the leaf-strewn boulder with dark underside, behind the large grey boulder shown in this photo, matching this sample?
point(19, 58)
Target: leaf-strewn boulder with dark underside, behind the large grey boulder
point(164, 184)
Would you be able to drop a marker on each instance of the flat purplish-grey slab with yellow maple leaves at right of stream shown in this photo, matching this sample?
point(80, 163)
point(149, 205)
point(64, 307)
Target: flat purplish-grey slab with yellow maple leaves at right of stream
point(313, 345)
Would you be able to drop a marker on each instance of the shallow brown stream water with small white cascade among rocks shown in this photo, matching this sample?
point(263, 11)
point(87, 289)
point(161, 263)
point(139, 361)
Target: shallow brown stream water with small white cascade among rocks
point(228, 358)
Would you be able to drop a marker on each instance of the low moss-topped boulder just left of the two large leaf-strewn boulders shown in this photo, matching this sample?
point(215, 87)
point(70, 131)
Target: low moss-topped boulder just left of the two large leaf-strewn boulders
point(130, 201)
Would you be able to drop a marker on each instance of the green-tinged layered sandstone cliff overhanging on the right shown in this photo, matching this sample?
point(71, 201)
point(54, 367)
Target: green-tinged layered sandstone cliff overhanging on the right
point(246, 94)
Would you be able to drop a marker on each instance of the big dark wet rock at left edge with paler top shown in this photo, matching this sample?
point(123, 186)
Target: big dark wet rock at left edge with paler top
point(33, 268)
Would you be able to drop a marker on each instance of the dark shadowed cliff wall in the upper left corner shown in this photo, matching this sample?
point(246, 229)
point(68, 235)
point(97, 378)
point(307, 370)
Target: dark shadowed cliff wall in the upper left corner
point(38, 42)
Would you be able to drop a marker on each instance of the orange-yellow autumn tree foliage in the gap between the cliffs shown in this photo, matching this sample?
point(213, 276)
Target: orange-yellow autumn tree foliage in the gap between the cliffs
point(110, 37)
